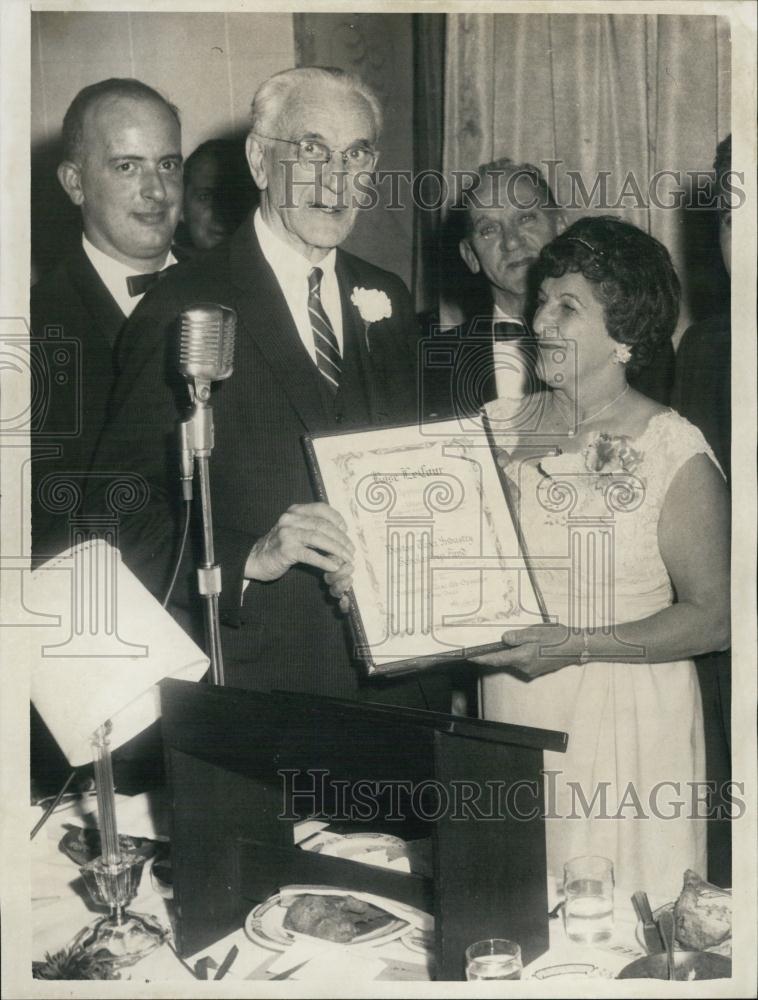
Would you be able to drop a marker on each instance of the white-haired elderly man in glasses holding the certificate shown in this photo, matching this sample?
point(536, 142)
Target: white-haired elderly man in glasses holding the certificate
point(306, 362)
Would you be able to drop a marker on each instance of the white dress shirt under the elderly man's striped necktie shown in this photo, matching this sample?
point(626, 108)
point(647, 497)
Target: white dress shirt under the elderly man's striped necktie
point(291, 270)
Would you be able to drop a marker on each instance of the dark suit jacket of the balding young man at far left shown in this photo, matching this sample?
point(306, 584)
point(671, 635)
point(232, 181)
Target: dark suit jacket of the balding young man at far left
point(75, 323)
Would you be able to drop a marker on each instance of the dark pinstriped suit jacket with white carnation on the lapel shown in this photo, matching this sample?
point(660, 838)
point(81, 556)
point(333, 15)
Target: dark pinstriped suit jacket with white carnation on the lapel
point(283, 634)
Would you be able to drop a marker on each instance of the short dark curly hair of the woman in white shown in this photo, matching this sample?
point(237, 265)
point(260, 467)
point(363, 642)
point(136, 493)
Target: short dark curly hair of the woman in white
point(634, 277)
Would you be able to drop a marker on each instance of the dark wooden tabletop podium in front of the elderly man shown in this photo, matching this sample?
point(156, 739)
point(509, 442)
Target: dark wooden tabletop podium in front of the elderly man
point(244, 766)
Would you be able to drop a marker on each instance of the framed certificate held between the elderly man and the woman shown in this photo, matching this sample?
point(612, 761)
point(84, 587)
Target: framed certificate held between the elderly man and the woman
point(440, 565)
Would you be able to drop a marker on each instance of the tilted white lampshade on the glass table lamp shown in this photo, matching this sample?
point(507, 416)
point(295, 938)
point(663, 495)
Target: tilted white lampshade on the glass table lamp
point(106, 644)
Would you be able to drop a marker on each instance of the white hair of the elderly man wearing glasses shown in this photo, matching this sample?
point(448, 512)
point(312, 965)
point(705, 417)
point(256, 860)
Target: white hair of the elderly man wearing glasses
point(272, 95)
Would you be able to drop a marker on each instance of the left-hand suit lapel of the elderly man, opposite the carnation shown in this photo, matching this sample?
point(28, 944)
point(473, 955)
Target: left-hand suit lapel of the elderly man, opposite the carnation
point(265, 316)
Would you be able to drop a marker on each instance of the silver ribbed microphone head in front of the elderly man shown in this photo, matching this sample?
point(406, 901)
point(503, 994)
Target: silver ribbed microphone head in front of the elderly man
point(206, 349)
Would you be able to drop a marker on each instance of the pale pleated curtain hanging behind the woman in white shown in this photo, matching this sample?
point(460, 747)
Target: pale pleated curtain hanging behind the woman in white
point(628, 94)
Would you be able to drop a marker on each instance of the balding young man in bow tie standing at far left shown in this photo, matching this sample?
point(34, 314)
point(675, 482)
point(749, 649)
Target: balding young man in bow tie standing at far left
point(122, 166)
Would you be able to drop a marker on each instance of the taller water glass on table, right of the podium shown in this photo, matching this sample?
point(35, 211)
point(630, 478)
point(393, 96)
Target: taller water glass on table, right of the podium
point(588, 912)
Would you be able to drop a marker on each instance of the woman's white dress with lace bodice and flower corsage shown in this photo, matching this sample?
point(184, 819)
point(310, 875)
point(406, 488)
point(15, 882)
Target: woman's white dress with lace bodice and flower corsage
point(634, 728)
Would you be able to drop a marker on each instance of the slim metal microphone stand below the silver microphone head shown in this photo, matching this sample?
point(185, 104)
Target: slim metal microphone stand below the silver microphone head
point(197, 441)
